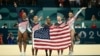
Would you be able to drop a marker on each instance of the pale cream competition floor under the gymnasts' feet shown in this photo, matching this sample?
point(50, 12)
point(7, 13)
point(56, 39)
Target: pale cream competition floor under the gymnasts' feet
point(12, 50)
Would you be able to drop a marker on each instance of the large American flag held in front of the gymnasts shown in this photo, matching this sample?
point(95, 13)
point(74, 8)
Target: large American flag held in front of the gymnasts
point(52, 38)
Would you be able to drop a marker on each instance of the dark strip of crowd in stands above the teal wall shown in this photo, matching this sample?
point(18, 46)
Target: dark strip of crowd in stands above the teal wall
point(52, 3)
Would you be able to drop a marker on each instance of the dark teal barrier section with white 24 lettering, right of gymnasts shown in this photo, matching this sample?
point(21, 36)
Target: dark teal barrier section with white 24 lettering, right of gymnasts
point(89, 35)
